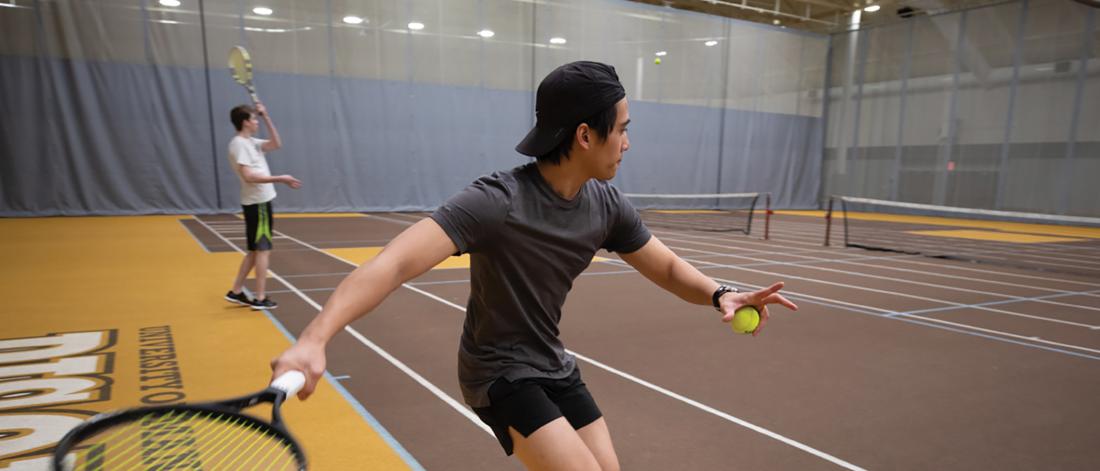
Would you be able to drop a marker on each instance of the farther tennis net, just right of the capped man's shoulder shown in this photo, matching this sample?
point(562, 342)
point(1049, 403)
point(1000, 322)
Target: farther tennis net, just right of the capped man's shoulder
point(718, 213)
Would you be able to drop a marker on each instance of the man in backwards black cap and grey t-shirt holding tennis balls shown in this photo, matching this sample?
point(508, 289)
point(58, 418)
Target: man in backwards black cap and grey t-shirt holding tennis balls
point(530, 233)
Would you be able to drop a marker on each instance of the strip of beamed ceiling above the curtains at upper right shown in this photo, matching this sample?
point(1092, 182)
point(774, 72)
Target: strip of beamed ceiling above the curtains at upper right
point(820, 16)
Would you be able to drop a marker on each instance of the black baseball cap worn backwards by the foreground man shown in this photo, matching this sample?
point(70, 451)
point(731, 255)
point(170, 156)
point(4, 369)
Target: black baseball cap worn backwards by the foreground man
point(566, 97)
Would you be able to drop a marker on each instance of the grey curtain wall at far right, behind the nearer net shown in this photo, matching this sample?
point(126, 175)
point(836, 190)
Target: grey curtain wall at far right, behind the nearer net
point(991, 108)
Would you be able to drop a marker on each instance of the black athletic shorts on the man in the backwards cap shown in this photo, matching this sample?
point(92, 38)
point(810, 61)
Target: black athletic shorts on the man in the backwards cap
point(529, 404)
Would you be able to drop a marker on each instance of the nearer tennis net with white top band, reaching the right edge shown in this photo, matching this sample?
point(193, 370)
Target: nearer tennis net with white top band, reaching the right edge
point(1024, 240)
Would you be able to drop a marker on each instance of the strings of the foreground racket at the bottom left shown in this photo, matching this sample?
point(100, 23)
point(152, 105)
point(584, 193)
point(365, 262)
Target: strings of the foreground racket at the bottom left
point(190, 440)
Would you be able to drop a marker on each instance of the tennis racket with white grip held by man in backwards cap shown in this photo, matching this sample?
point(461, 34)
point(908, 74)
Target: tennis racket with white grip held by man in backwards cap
point(211, 436)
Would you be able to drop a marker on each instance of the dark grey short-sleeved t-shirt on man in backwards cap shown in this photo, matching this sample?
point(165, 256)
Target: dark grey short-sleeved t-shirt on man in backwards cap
point(527, 245)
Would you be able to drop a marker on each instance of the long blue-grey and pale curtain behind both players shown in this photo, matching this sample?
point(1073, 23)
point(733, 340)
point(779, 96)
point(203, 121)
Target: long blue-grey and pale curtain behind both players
point(119, 107)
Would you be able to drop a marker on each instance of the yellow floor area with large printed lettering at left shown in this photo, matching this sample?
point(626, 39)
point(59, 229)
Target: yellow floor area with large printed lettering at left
point(123, 312)
